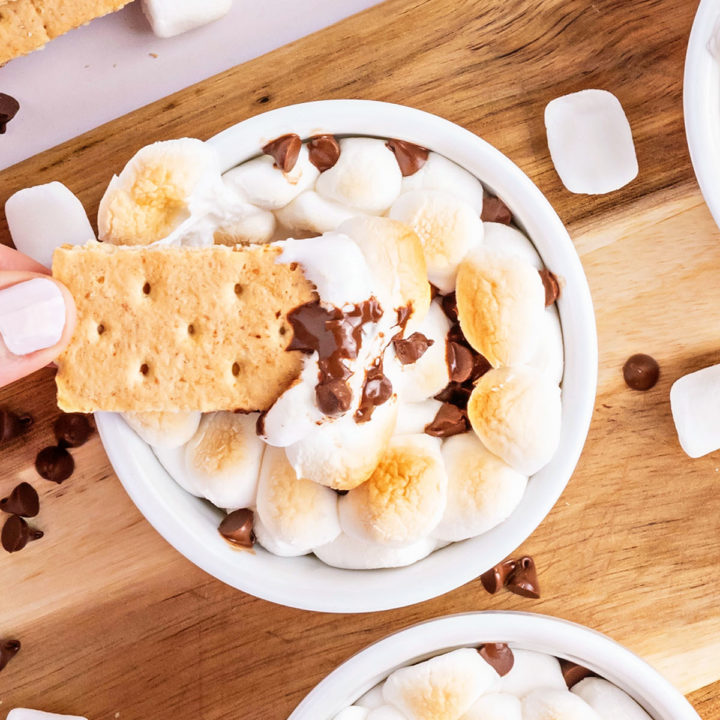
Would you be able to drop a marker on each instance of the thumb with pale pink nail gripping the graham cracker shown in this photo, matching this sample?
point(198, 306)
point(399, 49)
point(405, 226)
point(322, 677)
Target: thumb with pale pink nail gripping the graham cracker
point(37, 319)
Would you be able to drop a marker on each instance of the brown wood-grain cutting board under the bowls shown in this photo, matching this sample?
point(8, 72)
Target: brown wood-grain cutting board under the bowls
point(116, 624)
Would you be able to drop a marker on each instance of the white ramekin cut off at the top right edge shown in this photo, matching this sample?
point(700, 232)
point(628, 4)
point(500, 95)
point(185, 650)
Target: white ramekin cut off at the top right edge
point(701, 100)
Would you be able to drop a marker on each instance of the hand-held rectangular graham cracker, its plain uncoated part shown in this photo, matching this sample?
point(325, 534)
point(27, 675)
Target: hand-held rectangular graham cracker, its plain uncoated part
point(168, 328)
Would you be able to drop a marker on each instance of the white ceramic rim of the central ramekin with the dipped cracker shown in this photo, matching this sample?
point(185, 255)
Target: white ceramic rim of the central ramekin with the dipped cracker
point(190, 524)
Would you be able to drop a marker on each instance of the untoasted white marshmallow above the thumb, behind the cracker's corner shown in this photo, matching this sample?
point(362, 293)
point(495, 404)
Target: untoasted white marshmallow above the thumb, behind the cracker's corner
point(43, 217)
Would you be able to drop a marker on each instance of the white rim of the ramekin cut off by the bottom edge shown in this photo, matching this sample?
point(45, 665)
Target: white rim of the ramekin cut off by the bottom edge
point(519, 630)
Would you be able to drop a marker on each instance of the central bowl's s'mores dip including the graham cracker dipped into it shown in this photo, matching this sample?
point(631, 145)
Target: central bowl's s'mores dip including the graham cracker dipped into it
point(346, 344)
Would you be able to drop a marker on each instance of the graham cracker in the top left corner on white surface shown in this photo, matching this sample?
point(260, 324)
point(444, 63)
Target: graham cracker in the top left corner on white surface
point(26, 25)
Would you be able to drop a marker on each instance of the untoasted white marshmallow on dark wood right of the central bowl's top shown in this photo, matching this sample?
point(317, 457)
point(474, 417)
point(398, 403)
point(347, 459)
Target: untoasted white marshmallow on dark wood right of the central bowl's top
point(590, 142)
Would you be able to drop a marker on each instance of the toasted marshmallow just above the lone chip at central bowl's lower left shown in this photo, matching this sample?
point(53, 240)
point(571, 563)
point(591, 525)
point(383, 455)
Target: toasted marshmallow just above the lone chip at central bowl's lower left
point(222, 460)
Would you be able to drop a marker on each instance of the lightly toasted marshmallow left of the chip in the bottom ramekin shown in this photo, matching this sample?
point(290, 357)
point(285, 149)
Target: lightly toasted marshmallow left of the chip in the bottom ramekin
point(445, 686)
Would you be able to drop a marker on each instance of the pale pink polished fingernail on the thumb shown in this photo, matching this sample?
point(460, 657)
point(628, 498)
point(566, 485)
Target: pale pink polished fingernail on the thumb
point(32, 315)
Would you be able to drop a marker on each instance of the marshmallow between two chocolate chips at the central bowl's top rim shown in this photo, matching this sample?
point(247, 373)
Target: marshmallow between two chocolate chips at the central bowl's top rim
point(366, 176)
